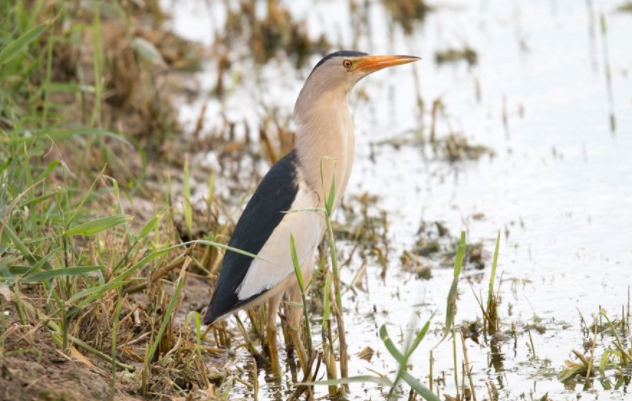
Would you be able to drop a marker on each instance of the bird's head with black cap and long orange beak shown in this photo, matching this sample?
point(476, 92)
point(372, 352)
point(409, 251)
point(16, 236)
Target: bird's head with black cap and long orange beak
point(342, 70)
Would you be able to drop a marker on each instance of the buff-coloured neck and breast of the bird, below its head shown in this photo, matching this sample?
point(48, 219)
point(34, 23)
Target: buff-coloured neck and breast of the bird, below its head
point(324, 135)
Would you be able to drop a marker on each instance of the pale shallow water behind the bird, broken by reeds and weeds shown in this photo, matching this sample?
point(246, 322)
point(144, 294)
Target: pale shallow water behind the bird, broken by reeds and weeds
point(559, 185)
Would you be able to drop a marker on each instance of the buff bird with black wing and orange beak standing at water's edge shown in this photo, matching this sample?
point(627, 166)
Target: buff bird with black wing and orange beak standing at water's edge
point(288, 198)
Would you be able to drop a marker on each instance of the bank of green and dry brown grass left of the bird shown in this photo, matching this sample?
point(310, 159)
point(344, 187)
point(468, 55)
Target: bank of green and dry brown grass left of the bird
point(83, 281)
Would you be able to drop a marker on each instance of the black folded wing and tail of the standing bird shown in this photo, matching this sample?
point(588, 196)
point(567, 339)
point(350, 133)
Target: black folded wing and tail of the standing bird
point(264, 212)
